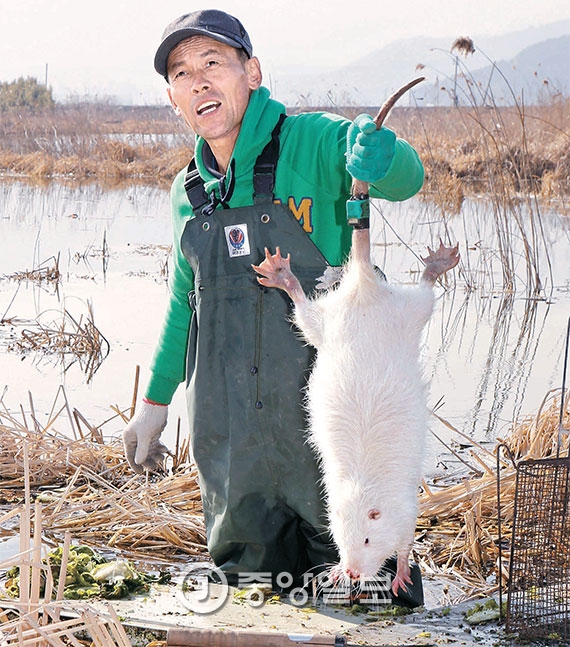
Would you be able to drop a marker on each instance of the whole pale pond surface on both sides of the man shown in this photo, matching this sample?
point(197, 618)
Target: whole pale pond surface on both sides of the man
point(491, 356)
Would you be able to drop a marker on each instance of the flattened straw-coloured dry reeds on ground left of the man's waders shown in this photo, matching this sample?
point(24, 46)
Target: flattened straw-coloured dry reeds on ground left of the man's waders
point(87, 488)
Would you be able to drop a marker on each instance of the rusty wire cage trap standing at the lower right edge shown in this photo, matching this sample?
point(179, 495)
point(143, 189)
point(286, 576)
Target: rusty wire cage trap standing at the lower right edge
point(538, 595)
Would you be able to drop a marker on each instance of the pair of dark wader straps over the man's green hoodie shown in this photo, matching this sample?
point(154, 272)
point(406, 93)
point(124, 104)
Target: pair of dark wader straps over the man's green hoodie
point(263, 175)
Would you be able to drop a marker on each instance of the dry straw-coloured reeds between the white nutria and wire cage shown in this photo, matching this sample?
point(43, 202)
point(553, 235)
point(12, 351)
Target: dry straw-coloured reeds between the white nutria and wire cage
point(457, 535)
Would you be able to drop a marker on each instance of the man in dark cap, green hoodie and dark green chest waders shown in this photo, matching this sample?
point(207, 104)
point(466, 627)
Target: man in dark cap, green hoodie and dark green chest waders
point(258, 179)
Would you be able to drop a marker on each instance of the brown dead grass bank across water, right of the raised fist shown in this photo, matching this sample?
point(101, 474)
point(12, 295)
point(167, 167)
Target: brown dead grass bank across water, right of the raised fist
point(485, 149)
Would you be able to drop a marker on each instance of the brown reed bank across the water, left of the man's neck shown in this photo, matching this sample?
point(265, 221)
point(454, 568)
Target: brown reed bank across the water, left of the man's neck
point(81, 143)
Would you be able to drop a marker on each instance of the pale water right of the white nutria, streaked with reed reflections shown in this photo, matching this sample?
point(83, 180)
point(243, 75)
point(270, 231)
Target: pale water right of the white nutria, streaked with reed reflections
point(492, 354)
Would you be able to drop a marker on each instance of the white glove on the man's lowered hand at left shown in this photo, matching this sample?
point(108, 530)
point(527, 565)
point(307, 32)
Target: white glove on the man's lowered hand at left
point(141, 437)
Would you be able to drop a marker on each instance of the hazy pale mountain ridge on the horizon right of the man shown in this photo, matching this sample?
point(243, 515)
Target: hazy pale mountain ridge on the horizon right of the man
point(534, 61)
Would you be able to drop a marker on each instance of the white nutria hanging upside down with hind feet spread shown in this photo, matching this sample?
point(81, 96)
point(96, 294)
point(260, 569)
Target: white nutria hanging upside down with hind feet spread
point(366, 401)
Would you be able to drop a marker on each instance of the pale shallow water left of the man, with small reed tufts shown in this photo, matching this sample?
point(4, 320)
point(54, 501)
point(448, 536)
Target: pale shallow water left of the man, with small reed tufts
point(128, 295)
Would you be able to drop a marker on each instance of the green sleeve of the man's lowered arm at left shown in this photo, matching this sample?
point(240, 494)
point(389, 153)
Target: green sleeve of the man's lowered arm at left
point(168, 366)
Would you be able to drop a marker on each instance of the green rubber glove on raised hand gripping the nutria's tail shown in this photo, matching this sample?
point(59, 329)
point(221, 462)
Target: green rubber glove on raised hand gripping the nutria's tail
point(369, 152)
